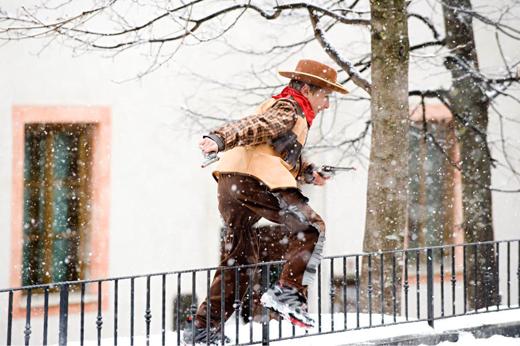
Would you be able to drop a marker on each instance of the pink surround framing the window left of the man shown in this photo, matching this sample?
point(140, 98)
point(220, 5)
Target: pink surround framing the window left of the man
point(97, 243)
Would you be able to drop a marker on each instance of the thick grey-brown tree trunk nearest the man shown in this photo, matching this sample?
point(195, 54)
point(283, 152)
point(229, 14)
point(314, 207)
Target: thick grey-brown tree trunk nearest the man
point(386, 217)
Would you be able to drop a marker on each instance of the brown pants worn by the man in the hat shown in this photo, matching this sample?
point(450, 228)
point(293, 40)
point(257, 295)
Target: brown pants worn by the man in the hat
point(243, 200)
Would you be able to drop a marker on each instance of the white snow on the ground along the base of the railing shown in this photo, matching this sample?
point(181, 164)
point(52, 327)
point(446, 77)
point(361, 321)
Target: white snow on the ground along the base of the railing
point(358, 337)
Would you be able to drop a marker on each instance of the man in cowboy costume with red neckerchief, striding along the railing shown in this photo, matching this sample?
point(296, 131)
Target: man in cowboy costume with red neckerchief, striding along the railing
point(258, 176)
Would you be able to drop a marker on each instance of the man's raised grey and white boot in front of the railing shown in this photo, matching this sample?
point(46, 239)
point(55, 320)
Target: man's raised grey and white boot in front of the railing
point(289, 303)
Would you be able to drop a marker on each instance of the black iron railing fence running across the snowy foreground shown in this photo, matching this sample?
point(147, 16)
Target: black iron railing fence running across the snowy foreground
point(351, 292)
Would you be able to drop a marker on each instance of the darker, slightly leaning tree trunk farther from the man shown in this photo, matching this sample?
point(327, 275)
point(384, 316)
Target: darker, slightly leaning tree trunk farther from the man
point(469, 105)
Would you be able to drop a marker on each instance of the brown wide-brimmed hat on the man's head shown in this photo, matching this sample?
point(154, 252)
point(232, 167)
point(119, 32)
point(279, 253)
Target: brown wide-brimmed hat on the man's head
point(316, 73)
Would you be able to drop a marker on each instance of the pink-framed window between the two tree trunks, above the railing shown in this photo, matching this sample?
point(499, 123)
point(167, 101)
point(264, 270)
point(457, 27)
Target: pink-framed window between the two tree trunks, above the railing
point(434, 207)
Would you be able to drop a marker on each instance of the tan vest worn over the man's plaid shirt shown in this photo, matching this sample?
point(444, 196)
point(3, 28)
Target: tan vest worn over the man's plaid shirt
point(276, 164)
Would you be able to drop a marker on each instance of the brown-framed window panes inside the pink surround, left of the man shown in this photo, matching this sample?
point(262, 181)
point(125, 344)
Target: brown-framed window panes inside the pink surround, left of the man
point(57, 177)
